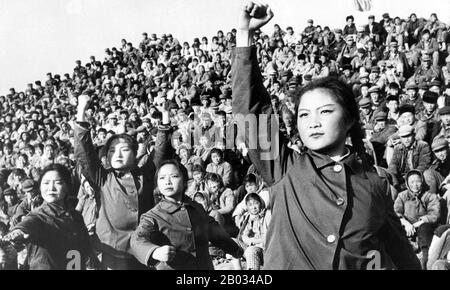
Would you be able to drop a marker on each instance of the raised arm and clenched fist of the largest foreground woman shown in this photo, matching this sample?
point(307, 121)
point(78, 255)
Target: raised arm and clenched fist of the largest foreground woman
point(251, 101)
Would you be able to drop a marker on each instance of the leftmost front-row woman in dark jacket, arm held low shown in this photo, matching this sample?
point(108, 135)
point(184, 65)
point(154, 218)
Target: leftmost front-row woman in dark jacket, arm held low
point(56, 234)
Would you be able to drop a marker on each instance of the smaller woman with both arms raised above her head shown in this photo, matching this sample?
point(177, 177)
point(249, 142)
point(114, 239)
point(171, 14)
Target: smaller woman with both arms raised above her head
point(125, 189)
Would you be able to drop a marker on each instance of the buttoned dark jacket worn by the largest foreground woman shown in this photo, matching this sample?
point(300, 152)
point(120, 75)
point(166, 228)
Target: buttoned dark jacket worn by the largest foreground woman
point(324, 215)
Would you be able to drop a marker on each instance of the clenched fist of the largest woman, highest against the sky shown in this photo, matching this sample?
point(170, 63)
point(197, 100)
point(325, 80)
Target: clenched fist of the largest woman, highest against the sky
point(254, 16)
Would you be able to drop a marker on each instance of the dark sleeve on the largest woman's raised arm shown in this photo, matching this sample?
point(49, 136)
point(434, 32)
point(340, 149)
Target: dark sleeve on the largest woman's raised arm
point(251, 102)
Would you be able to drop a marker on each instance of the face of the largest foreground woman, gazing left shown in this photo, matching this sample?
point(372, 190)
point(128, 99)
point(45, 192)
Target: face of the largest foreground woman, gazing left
point(321, 122)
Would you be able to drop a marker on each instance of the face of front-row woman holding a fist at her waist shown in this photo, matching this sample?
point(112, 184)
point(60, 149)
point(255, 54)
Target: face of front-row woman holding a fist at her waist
point(170, 181)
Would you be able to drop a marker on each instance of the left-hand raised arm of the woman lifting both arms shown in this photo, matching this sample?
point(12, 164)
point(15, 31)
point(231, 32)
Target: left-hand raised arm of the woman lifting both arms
point(85, 153)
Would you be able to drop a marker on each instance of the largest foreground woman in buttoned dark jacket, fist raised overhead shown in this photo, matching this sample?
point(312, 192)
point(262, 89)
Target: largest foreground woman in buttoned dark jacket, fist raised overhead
point(329, 210)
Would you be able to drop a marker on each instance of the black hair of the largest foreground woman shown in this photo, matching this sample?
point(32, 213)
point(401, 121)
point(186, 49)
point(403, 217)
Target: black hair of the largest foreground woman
point(344, 96)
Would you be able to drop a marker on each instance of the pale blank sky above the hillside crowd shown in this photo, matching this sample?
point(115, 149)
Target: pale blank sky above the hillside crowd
point(40, 36)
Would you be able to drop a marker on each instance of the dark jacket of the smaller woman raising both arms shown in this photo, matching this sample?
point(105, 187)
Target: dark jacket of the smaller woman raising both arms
point(122, 199)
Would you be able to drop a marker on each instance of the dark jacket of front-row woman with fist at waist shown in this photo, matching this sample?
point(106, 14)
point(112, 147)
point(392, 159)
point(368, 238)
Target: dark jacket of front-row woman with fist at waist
point(187, 227)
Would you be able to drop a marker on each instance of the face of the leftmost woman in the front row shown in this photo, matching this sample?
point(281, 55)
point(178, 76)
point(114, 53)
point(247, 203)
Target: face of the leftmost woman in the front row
point(53, 188)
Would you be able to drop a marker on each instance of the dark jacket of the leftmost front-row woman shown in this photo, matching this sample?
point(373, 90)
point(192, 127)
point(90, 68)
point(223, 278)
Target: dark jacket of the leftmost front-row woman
point(55, 232)
